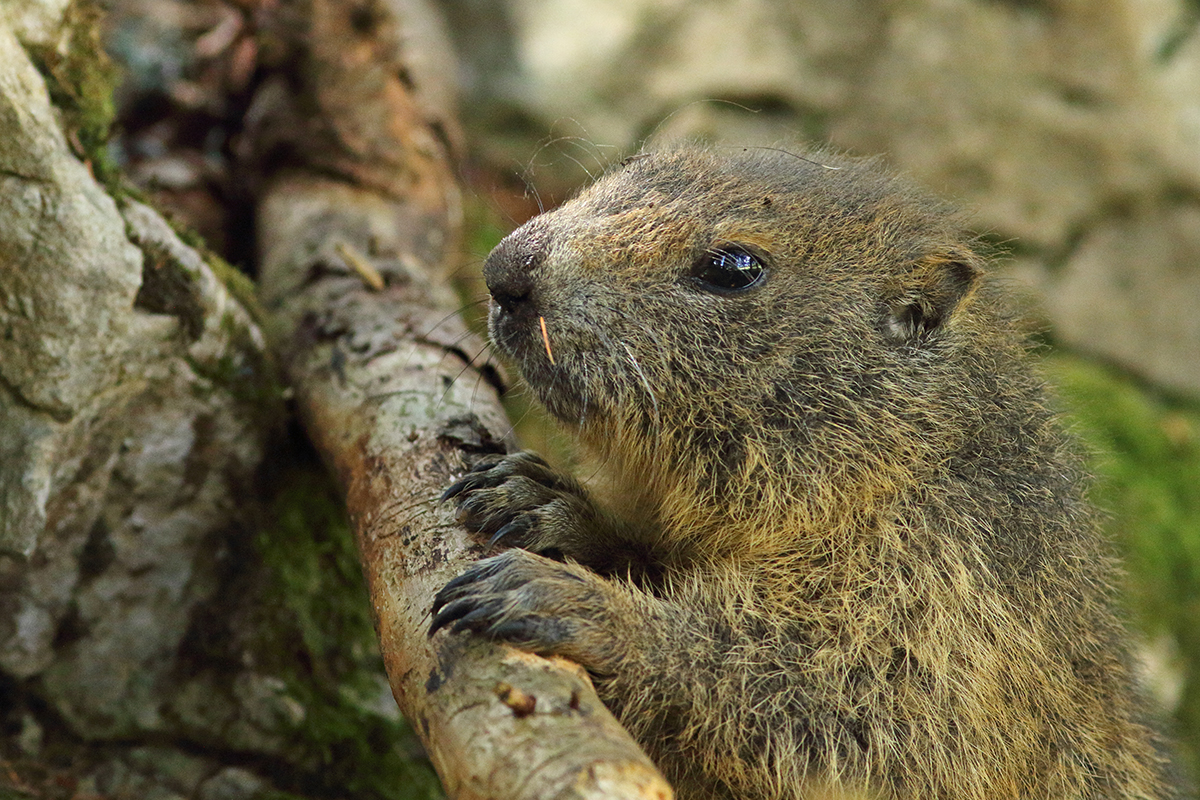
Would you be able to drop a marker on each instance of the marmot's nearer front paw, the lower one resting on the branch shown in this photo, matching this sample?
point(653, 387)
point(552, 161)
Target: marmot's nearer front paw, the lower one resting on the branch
point(535, 604)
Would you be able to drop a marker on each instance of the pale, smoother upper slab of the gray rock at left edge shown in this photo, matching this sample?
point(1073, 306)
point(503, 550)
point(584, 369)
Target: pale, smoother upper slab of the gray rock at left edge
point(65, 339)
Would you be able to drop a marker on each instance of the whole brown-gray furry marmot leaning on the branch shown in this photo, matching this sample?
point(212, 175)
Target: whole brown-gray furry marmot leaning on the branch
point(833, 538)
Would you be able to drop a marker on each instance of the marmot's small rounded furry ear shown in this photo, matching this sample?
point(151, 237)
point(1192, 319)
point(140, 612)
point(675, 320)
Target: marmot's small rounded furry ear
point(934, 288)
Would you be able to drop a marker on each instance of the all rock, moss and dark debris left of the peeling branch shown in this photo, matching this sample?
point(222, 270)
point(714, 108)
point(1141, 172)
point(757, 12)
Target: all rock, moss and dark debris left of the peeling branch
point(183, 612)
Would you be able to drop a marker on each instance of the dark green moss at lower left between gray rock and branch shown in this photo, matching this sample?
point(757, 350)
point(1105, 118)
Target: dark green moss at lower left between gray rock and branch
point(328, 654)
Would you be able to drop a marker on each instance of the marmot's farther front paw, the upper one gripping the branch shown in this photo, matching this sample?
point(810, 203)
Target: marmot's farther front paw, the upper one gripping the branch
point(521, 501)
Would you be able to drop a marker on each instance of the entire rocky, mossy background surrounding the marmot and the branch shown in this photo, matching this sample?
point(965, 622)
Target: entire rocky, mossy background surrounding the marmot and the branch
point(182, 613)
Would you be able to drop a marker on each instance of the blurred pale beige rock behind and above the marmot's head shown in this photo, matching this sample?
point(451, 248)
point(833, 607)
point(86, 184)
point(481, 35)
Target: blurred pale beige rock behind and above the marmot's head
point(1072, 128)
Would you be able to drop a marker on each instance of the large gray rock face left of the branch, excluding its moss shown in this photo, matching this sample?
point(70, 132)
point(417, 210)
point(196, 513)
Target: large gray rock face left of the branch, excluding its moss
point(130, 425)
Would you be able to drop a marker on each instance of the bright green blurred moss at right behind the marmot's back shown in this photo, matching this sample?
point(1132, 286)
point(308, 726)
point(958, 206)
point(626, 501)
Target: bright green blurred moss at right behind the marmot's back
point(1148, 461)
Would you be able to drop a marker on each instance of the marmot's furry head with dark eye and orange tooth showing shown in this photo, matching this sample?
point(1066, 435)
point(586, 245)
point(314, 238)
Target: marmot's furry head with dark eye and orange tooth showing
point(717, 321)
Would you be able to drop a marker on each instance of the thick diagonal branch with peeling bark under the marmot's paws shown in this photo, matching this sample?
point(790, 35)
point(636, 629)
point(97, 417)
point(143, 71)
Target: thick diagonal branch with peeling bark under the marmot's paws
point(388, 389)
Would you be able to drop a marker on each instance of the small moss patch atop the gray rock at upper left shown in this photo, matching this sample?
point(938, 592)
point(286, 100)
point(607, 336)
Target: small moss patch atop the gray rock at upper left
point(81, 80)
